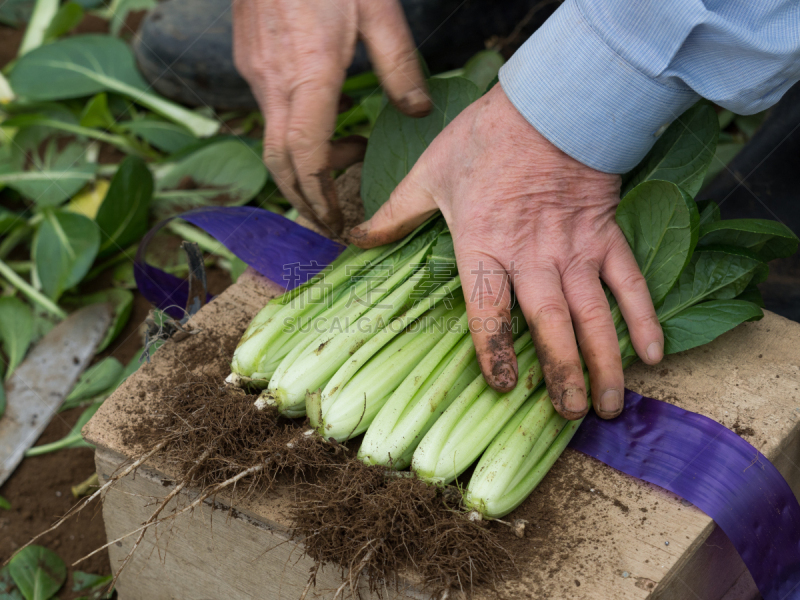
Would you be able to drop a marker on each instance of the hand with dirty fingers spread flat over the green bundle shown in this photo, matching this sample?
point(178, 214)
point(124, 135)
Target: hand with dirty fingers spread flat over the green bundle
point(522, 211)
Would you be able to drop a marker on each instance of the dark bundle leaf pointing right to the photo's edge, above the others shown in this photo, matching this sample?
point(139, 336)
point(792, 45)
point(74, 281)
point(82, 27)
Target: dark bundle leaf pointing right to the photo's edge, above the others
point(768, 239)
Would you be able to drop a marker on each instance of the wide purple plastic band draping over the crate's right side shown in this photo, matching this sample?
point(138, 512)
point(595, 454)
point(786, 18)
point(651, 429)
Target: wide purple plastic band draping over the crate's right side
point(714, 469)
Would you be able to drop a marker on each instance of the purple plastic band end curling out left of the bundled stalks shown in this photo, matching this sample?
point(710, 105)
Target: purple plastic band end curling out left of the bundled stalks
point(280, 249)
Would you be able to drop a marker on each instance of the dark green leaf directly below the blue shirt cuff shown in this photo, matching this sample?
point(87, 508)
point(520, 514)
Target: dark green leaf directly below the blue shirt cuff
point(682, 154)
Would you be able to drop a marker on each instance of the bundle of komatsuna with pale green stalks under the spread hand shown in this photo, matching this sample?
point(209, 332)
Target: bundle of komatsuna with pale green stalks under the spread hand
point(378, 343)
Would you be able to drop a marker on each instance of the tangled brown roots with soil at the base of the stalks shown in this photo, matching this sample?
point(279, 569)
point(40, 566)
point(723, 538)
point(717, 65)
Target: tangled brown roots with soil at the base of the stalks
point(363, 519)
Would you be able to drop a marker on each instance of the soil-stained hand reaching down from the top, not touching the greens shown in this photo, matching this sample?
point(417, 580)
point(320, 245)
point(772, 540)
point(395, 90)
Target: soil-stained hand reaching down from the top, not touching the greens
point(294, 56)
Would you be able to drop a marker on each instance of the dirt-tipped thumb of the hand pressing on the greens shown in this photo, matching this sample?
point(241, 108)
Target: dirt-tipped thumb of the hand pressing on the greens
point(408, 207)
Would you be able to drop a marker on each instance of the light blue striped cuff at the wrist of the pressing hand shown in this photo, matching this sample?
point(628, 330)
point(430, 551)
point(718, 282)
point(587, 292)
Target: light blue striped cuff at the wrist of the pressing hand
point(585, 98)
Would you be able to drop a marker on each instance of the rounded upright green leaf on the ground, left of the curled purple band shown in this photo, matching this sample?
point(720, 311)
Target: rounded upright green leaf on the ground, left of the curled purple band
point(64, 247)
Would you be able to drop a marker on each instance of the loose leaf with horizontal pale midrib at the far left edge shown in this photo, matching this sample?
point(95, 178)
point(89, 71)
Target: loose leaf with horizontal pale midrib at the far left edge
point(50, 179)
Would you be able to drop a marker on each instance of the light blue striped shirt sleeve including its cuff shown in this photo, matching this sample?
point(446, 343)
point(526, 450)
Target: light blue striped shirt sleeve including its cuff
point(602, 79)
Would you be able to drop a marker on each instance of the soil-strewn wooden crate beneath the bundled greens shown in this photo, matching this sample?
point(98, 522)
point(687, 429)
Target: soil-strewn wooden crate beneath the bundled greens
point(608, 540)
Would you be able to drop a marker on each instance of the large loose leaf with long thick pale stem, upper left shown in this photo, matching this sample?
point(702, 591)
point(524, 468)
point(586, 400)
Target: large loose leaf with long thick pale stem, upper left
point(89, 64)
